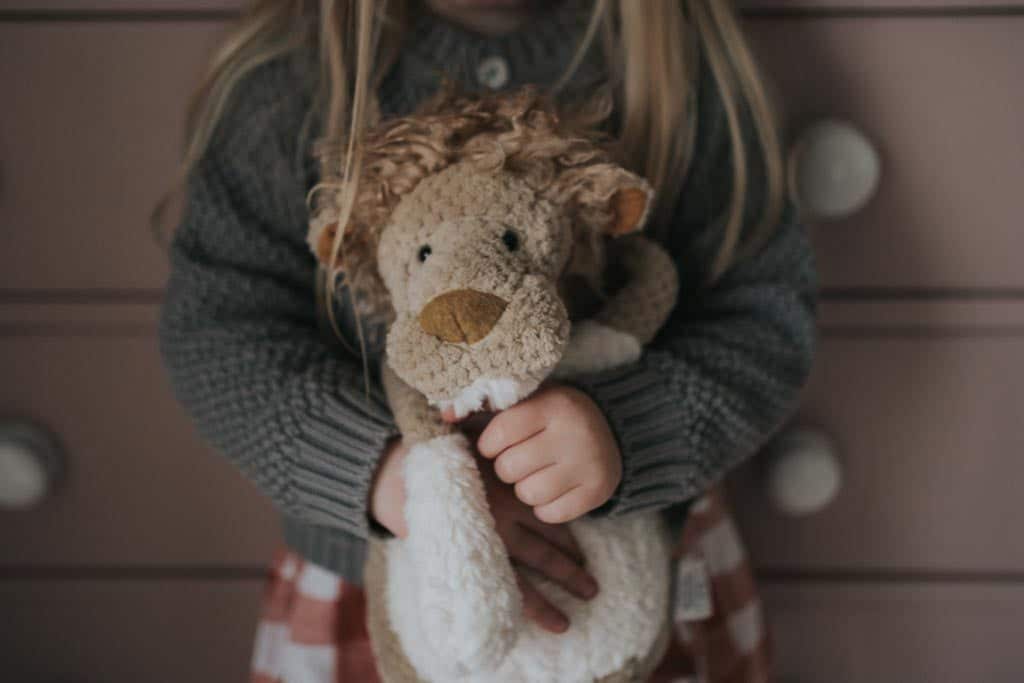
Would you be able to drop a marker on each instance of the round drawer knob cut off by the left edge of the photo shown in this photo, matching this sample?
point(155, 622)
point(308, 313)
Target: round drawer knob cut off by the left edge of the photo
point(30, 464)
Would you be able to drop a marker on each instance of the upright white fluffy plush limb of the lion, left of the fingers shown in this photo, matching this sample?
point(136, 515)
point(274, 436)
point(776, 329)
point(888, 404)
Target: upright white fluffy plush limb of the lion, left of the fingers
point(453, 597)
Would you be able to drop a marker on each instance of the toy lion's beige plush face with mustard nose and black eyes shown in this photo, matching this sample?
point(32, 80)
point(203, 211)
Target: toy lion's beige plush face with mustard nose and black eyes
point(472, 262)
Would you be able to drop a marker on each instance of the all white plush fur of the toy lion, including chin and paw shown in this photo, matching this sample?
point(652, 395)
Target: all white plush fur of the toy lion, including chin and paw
point(452, 599)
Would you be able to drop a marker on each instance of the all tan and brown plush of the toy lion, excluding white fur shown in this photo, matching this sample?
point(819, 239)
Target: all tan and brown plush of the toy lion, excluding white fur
point(481, 214)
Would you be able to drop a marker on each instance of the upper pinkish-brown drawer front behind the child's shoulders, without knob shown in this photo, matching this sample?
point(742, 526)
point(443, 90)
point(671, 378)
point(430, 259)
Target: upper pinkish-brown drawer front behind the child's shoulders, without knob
point(948, 140)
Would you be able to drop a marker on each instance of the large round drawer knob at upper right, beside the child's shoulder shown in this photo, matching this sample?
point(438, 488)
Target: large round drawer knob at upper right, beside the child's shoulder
point(834, 170)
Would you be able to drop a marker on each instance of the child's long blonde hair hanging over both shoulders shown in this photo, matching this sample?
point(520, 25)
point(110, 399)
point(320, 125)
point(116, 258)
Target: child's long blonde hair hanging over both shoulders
point(653, 54)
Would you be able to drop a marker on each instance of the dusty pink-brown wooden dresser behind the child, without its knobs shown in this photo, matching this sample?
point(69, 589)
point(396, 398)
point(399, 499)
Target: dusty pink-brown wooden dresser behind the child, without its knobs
point(146, 562)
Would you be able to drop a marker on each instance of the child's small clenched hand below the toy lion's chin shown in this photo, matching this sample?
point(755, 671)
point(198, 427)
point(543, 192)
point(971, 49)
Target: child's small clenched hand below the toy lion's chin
point(559, 451)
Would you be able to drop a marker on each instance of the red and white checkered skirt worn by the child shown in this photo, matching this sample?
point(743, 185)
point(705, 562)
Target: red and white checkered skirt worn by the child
point(314, 628)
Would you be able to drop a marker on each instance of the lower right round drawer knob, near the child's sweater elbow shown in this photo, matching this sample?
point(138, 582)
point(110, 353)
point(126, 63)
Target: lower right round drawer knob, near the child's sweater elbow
point(804, 474)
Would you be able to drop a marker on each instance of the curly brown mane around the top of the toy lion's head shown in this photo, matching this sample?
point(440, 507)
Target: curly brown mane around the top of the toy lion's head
point(566, 157)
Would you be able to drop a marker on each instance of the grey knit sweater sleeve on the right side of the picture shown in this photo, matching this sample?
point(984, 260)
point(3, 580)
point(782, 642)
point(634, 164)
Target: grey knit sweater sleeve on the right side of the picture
point(729, 366)
